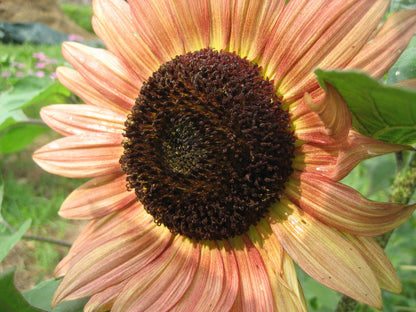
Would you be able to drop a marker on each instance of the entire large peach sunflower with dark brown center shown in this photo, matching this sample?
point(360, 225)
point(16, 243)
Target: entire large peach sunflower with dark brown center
point(215, 155)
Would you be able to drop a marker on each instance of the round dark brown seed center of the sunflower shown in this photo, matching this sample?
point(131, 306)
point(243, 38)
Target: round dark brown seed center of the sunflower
point(207, 146)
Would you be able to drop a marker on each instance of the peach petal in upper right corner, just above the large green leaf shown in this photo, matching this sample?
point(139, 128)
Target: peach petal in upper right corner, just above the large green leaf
point(379, 55)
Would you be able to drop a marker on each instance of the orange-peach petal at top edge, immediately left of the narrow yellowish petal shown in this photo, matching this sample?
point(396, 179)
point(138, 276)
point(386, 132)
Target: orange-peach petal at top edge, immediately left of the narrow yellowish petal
point(193, 23)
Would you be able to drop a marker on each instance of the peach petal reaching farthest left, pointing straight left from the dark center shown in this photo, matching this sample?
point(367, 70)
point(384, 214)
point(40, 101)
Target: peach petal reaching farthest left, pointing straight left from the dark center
point(81, 156)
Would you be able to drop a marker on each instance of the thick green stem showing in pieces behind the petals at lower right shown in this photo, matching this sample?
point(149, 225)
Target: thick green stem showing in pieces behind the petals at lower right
point(403, 187)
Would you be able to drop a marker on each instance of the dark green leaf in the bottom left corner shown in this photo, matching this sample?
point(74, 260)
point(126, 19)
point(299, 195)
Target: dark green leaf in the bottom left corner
point(10, 298)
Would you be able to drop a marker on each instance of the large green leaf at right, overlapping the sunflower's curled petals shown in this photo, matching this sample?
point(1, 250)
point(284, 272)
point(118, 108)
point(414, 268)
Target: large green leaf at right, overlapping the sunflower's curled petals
point(387, 113)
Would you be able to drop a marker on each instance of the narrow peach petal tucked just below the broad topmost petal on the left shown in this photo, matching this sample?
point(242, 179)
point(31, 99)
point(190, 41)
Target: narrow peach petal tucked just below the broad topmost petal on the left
point(76, 83)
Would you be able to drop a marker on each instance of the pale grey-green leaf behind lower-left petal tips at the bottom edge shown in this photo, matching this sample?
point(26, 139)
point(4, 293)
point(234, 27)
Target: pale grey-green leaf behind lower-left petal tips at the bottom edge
point(41, 297)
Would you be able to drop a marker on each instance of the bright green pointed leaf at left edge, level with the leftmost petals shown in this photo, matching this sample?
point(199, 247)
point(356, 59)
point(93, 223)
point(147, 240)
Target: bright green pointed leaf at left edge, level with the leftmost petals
point(19, 135)
